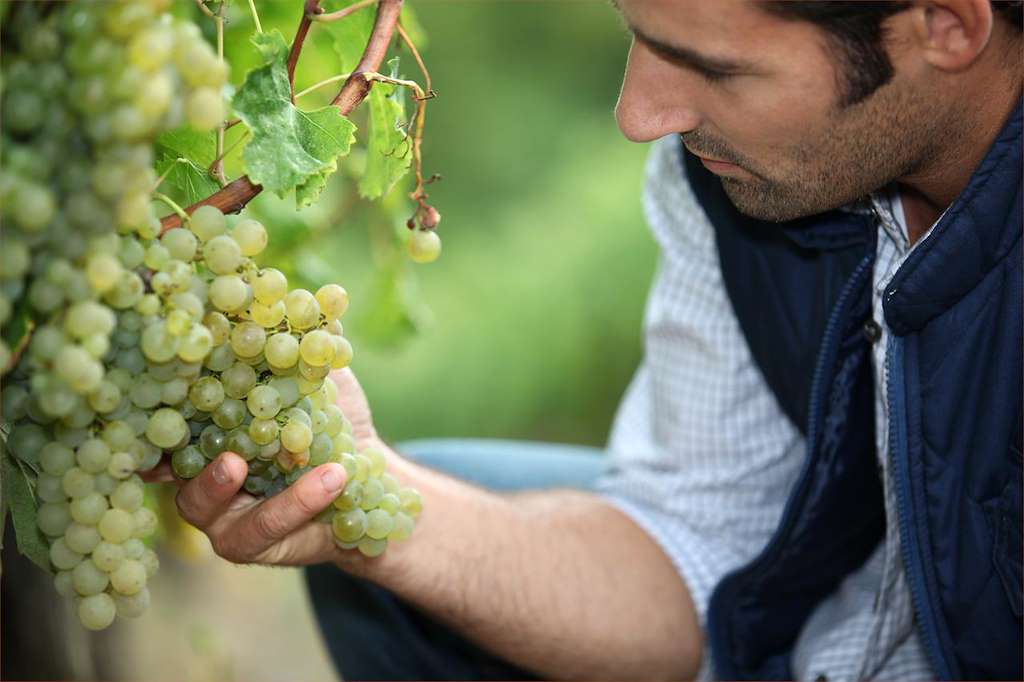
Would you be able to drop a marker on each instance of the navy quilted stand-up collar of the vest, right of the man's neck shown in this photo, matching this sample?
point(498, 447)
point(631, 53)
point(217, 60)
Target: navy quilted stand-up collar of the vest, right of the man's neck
point(971, 239)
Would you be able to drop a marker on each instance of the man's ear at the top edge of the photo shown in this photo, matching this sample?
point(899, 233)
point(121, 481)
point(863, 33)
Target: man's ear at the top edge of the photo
point(953, 34)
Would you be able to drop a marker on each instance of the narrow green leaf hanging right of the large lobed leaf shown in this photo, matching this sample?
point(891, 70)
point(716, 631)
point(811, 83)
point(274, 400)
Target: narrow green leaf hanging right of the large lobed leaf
point(390, 153)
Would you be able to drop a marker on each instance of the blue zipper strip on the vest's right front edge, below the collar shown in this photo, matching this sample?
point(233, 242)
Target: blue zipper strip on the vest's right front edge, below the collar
point(910, 546)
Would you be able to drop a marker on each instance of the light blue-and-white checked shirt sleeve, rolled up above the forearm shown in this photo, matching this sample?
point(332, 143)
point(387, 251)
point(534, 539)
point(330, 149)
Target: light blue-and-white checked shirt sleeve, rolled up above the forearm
point(701, 456)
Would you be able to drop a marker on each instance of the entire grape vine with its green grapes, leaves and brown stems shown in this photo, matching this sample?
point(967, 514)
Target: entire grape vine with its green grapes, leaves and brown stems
point(129, 338)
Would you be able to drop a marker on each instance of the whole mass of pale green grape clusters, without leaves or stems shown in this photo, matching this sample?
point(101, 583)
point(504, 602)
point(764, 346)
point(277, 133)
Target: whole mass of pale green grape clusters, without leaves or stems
point(140, 345)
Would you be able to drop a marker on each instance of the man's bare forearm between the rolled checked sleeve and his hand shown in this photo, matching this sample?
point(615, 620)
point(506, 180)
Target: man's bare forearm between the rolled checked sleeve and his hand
point(559, 582)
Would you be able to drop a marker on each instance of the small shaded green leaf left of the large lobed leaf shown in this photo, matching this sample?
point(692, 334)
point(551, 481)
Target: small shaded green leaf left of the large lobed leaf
point(189, 155)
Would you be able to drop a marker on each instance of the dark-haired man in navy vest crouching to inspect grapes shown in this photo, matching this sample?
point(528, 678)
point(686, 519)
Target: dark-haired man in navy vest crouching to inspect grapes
point(817, 472)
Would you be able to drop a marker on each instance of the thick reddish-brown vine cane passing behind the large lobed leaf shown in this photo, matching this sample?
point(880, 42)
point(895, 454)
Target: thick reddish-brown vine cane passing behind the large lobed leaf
point(234, 197)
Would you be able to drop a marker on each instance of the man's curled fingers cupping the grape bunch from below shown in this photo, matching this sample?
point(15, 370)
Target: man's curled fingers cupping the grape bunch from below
point(279, 531)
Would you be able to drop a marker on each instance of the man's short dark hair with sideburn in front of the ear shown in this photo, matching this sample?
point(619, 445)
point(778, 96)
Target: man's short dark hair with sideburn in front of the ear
point(856, 32)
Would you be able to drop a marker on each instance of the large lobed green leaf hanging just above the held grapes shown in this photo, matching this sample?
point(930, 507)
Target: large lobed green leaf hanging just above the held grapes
point(290, 149)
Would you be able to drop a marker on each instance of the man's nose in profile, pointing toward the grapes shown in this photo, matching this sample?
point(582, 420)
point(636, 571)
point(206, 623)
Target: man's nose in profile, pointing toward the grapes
point(657, 99)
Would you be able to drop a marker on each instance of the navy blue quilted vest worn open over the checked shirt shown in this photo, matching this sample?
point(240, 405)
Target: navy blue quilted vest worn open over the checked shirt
point(801, 292)
